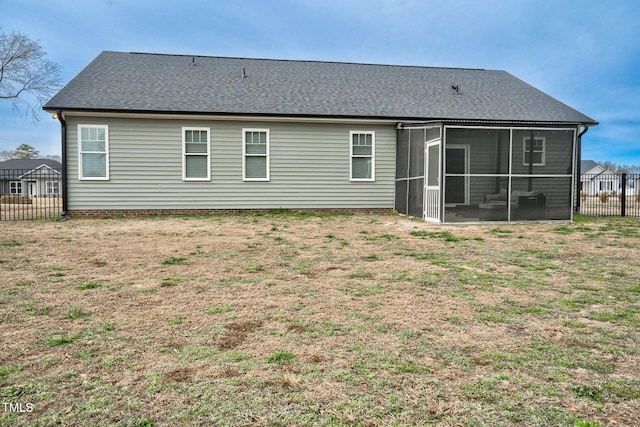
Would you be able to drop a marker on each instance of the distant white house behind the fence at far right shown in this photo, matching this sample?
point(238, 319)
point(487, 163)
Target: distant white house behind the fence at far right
point(595, 179)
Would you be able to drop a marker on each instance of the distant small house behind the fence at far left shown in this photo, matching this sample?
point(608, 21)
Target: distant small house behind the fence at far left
point(31, 178)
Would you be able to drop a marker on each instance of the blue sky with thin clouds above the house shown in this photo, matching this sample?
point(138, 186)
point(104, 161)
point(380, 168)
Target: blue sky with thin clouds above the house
point(586, 53)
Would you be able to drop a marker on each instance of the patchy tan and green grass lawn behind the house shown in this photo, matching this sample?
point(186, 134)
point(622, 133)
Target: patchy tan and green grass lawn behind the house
point(289, 319)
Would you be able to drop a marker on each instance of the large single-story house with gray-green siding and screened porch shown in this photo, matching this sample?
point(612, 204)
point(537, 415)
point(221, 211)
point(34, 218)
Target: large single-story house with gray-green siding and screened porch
point(172, 133)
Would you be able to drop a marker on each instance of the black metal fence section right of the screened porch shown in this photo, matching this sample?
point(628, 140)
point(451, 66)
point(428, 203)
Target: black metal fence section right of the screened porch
point(609, 195)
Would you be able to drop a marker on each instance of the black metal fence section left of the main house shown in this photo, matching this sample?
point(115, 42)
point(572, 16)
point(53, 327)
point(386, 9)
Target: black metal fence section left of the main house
point(30, 193)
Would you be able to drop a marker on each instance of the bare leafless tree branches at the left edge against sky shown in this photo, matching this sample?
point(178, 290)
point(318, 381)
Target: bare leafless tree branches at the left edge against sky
point(27, 79)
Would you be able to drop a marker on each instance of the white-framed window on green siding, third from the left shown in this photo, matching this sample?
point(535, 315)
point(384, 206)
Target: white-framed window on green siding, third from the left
point(255, 155)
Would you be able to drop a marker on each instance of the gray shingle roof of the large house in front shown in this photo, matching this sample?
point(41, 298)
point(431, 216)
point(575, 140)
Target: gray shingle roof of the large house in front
point(195, 84)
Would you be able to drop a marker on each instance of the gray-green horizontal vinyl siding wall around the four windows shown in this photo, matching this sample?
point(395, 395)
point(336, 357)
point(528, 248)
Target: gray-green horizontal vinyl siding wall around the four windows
point(309, 167)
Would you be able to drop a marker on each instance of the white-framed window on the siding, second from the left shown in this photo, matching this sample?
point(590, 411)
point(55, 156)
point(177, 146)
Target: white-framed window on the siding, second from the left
point(196, 150)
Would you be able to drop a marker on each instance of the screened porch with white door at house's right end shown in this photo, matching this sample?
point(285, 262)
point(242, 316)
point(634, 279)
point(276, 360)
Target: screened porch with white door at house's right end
point(475, 173)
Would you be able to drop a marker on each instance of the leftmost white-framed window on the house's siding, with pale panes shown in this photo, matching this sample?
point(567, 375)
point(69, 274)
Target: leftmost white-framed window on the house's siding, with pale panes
point(93, 152)
